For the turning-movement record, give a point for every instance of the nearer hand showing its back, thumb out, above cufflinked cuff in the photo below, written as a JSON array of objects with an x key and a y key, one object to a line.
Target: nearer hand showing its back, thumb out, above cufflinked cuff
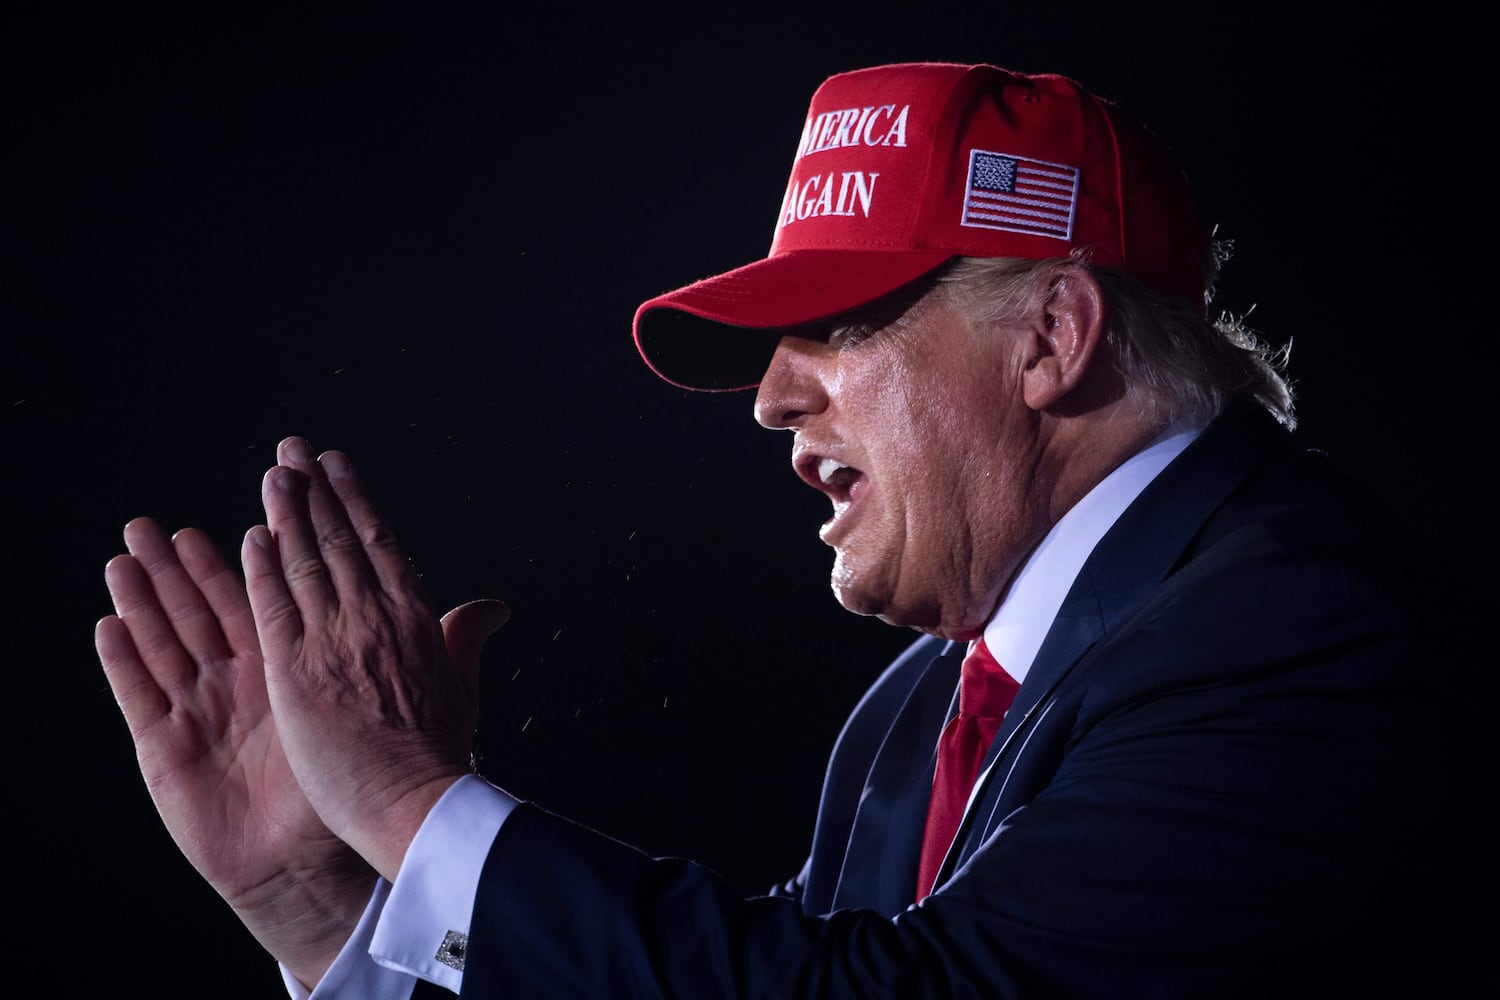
[{"x": 374, "y": 696}]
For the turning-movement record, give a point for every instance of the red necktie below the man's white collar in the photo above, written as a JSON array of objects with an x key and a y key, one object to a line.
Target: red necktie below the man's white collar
[{"x": 985, "y": 695}]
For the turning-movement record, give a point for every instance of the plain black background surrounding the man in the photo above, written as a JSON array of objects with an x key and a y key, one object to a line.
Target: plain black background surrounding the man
[{"x": 419, "y": 233}]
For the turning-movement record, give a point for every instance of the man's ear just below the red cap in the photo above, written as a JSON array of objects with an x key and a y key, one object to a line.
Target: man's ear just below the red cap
[{"x": 1069, "y": 334}]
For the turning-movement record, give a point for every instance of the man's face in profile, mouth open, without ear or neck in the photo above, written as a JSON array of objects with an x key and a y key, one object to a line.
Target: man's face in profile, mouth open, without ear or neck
[{"x": 917, "y": 431}]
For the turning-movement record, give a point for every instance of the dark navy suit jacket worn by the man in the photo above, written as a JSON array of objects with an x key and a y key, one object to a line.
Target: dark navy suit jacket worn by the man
[{"x": 1234, "y": 770}]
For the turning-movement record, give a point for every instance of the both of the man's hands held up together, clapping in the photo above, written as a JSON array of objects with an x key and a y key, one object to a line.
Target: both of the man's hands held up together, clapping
[{"x": 247, "y": 720}]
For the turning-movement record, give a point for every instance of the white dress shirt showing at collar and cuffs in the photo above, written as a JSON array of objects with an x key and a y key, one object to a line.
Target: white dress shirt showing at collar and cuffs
[{"x": 427, "y": 912}]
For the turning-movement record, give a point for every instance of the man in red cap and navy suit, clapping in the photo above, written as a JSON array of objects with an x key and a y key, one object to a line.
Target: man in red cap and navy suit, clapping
[{"x": 1219, "y": 761}]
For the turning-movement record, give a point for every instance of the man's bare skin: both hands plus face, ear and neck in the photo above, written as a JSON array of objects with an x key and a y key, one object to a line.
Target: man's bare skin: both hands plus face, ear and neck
[{"x": 296, "y": 731}]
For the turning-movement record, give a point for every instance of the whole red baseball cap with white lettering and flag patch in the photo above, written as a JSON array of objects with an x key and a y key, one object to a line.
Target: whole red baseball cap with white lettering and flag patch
[{"x": 904, "y": 167}]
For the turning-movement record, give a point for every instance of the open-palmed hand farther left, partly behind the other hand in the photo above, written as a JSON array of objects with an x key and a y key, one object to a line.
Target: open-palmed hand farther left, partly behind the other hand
[{"x": 182, "y": 657}]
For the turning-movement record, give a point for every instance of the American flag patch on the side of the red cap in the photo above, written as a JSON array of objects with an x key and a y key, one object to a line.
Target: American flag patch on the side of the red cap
[{"x": 1021, "y": 196}]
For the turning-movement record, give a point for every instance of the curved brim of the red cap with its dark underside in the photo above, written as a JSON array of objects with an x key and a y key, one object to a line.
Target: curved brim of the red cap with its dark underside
[{"x": 716, "y": 335}]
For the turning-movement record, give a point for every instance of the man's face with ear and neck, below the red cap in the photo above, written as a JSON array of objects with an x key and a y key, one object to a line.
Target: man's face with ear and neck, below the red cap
[{"x": 970, "y": 442}]
